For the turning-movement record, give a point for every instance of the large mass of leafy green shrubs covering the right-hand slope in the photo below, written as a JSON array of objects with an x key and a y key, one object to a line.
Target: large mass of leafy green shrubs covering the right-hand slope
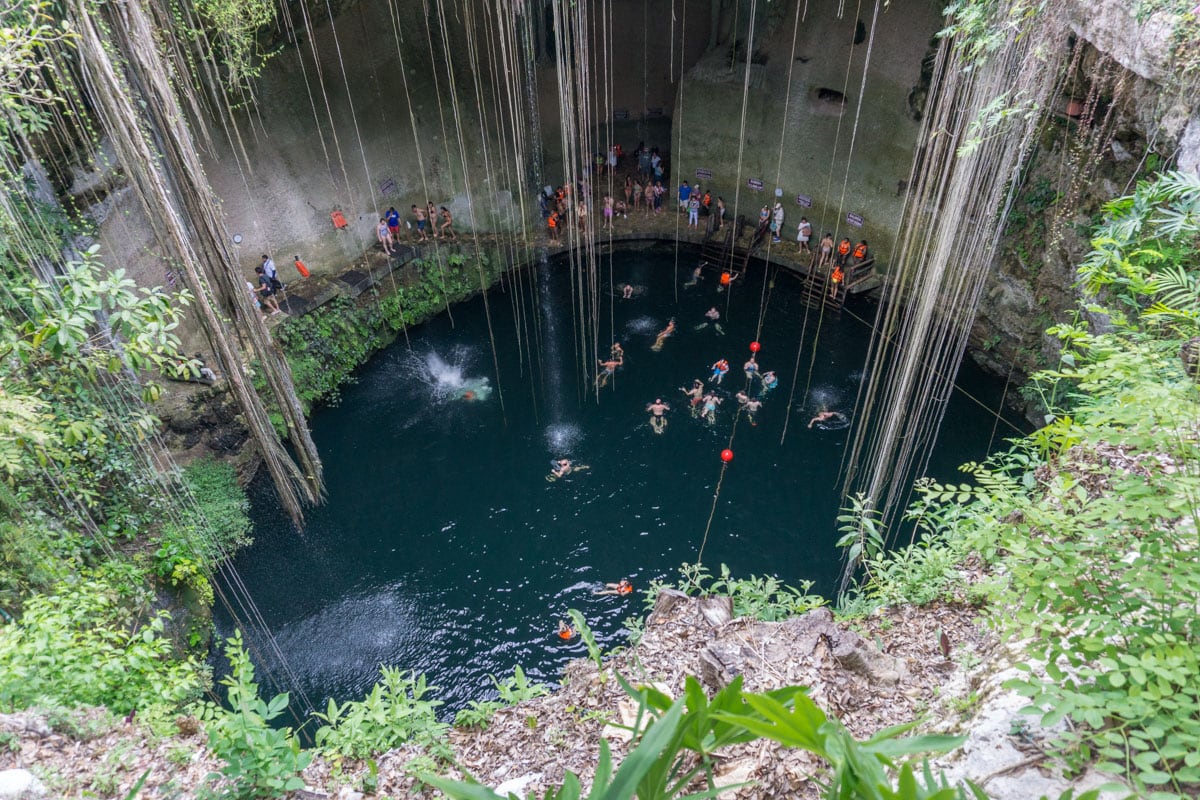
[{"x": 1091, "y": 522}]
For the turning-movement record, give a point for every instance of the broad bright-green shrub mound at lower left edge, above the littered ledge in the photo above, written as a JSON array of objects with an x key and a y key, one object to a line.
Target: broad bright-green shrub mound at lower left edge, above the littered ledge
[{"x": 97, "y": 641}]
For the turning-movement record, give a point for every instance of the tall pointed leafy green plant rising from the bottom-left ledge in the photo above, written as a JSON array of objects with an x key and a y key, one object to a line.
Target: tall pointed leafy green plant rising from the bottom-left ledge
[{"x": 261, "y": 761}]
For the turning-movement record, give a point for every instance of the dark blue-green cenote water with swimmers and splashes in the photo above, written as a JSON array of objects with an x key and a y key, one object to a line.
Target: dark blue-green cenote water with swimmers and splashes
[{"x": 445, "y": 550}]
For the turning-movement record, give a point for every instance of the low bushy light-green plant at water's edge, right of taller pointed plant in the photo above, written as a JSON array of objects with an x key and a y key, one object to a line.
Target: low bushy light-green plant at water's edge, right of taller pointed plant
[{"x": 398, "y": 709}]
